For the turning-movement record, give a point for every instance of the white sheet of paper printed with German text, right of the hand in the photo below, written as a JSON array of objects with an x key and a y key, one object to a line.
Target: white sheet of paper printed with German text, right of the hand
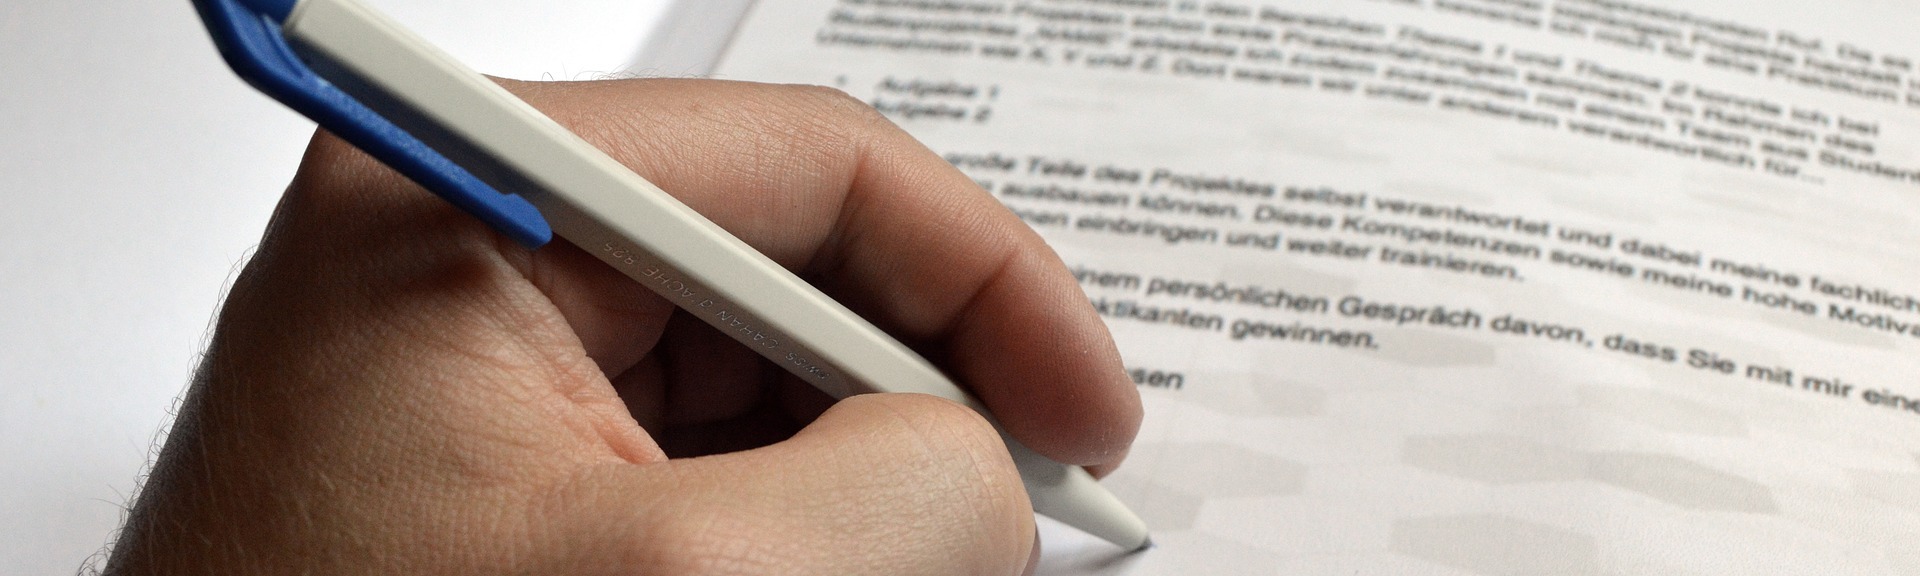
[{"x": 1454, "y": 287}]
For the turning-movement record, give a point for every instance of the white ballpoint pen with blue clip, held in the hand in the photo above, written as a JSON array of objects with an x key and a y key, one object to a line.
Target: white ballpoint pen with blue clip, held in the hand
[{"x": 460, "y": 135}]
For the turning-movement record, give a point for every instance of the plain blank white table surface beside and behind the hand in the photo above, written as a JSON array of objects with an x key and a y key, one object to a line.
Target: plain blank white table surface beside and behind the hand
[{"x": 137, "y": 174}]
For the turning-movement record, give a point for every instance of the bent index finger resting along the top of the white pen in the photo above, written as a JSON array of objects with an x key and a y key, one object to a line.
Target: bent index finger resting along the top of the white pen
[{"x": 830, "y": 189}]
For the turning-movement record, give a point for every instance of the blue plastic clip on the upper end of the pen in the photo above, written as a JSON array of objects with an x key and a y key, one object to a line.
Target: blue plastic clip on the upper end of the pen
[{"x": 249, "y": 37}]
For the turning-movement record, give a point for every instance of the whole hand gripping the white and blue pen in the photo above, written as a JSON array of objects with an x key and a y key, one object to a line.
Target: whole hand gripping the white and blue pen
[{"x": 393, "y": 389}]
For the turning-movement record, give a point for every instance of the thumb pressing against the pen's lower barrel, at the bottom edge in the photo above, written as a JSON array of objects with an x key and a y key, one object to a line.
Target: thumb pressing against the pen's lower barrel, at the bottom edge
[{"x": 878, "y": 485}]
